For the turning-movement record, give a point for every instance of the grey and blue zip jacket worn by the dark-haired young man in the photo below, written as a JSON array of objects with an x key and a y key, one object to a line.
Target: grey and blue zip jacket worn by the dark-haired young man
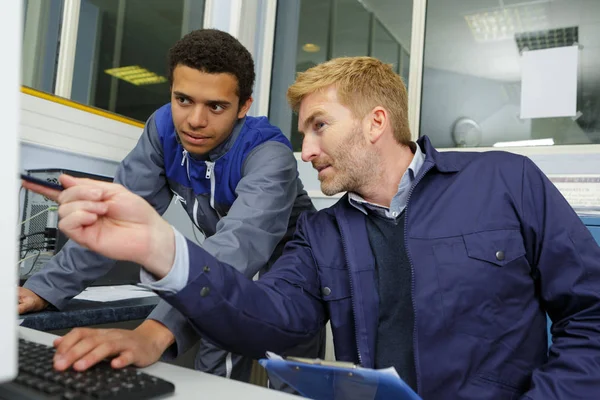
[{"x": 245, "y": 195}]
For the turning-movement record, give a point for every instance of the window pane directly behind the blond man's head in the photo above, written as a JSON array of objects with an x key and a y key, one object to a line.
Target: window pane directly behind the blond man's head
[{"x": 318, "y": 30}]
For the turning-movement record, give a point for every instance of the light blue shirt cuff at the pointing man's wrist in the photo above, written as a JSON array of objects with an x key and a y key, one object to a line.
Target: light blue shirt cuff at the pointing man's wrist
[{"x": 177, "y": 277}]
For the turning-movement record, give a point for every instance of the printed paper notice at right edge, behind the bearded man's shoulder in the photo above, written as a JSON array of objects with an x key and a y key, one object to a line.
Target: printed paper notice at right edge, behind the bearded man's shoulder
[{"x": 581, "y": 191}]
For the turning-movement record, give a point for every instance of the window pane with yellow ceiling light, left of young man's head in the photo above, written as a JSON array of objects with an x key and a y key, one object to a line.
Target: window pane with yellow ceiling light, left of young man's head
[{"x": 121, "y": 54}]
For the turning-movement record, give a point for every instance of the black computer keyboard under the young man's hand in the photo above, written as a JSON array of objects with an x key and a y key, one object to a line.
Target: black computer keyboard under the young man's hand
[{"x": 38, "y": 379}]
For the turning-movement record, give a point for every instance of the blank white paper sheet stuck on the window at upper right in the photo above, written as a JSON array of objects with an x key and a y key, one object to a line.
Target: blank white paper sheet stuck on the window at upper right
[{"x": 549, "y": 82}]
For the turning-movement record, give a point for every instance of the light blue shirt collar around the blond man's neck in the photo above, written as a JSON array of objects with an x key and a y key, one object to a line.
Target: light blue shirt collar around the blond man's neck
[{"x": 400, "y": 199}]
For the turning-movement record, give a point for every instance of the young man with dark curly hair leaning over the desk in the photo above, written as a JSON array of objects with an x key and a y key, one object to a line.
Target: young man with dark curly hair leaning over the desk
[{"x": 235, "y": 175}]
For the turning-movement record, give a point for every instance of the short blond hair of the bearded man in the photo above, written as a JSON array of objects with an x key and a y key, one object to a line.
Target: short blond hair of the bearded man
[{"x": 362, "y": 83}]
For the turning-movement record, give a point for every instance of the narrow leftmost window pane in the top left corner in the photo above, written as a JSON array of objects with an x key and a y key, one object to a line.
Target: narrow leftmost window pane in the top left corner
[{"x": 41, "y": 33}]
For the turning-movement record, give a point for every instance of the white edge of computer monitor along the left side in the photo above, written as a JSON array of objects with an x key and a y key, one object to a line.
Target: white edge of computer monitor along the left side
[{"x": 10, "y": 80}]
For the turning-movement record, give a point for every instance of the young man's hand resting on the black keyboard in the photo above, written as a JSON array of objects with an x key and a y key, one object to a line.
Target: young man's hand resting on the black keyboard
[{"x": 84, "y": 347}]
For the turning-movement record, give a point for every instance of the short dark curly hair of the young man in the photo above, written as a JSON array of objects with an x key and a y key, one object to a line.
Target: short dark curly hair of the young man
[{"x": 213, "y": 51}]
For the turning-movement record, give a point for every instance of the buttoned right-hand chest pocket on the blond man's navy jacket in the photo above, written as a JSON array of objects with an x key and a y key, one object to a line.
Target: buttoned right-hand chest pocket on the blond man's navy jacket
[{"x": 482, "y": 277}]
